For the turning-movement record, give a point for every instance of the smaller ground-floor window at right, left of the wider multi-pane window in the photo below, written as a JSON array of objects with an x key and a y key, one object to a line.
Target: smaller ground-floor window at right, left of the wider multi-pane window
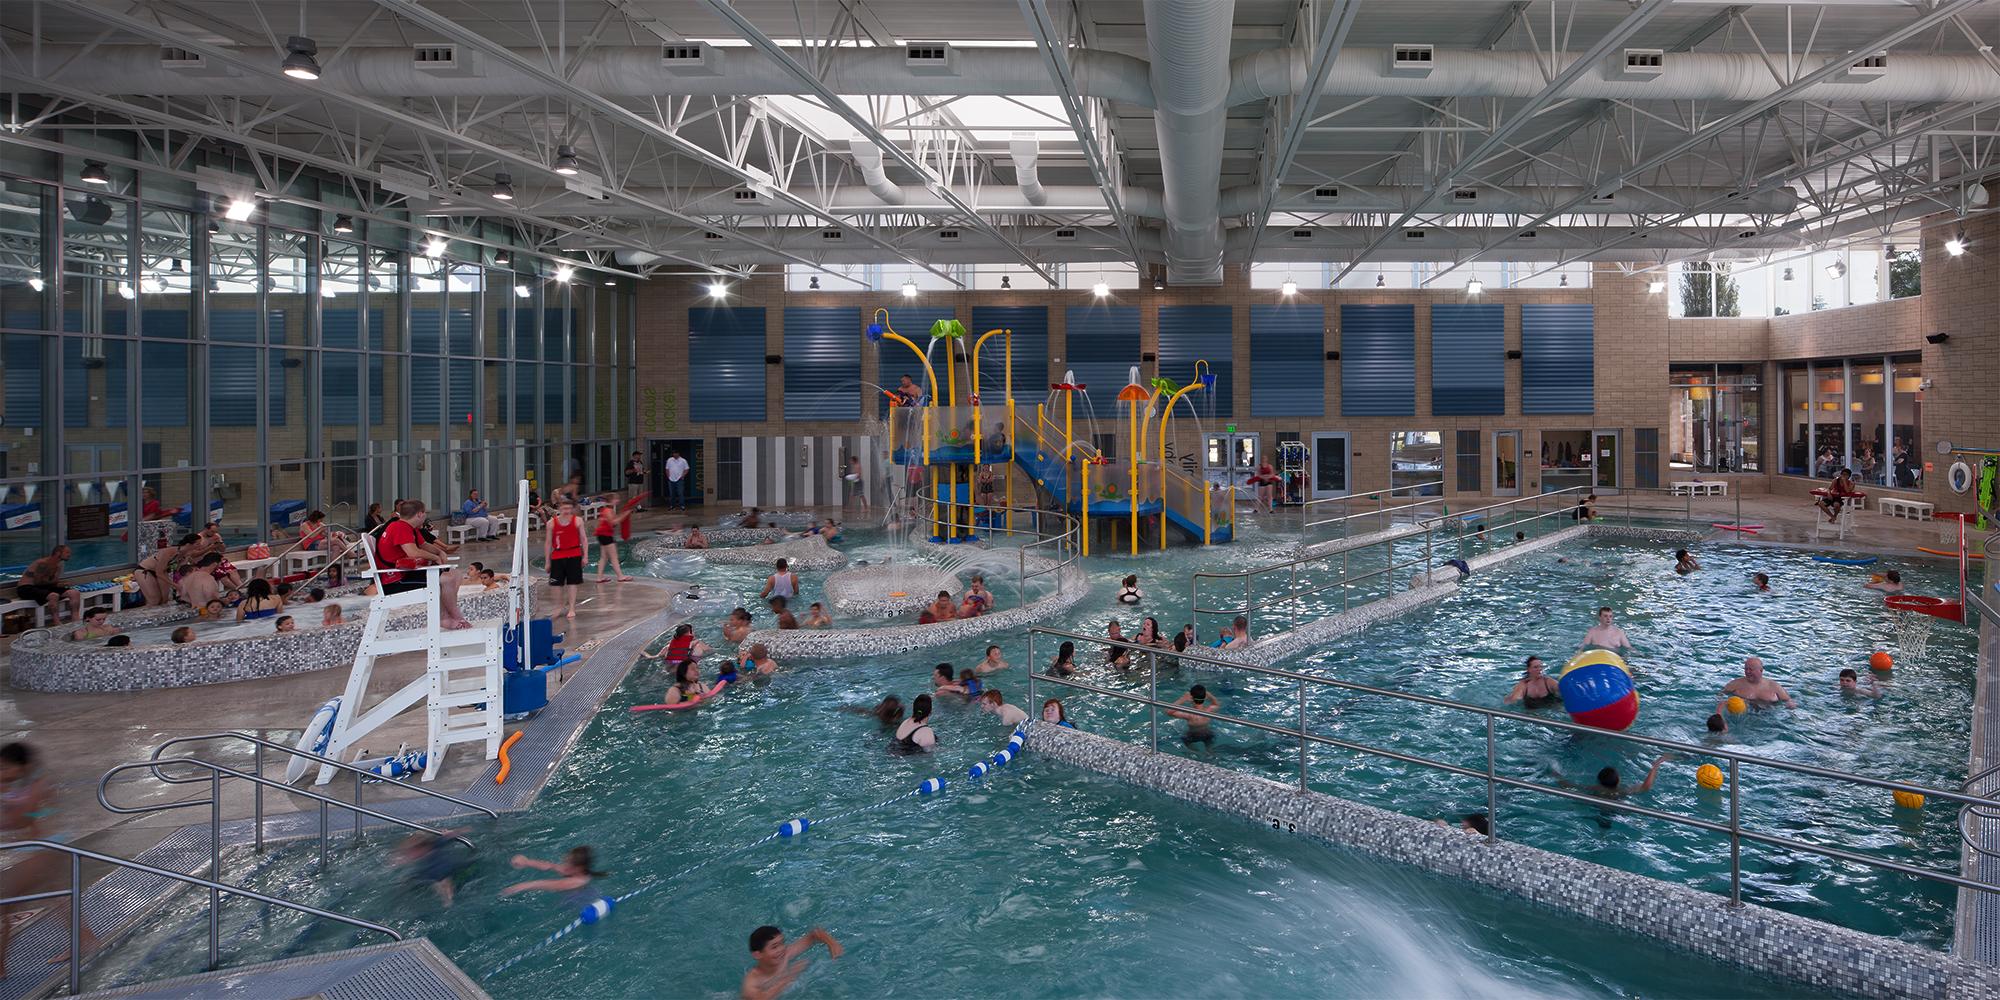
[{"x": 1715, "y": 419}]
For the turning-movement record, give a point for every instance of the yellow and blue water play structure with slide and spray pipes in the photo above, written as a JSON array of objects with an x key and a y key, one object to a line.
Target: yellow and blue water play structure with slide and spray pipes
[{"x": 951, "y": 439}]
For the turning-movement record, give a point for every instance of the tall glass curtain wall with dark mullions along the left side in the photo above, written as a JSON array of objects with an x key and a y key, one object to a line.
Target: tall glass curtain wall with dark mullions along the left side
[{"x": 163, "y": 367}]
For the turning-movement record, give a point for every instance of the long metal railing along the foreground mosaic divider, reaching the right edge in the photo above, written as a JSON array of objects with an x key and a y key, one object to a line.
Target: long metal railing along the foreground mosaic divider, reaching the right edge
[{"x": 1495, "y": 781}]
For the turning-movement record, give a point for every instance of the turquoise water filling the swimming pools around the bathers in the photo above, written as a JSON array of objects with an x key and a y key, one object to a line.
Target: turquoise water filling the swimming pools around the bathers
[{"x": 1055, "y": 881}]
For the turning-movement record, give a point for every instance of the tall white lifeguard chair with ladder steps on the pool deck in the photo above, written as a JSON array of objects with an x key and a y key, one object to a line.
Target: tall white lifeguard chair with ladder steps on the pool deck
[{"x": 463, "y": 679}]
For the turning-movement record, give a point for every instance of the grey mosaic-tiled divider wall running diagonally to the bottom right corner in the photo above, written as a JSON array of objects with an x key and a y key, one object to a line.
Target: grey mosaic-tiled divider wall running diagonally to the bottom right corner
[{"x": 1807, "y": 951}]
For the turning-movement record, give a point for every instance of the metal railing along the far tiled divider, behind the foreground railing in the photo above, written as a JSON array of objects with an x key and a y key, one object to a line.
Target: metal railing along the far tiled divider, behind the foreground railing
[{"x": 1293, "y": 597}]
